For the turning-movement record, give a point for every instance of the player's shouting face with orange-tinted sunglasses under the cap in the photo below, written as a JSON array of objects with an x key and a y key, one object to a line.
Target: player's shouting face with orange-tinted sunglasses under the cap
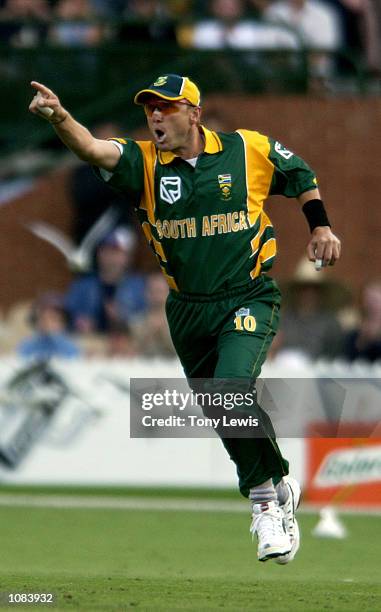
[{"x": 170, "y": 123}]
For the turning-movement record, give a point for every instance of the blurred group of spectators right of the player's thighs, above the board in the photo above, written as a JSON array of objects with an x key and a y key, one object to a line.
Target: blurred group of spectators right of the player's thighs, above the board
[{"x": 321, "y": 320}]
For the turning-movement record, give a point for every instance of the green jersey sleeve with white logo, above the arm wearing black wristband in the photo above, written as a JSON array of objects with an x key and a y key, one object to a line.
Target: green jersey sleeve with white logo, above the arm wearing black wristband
[{"x": 292, "y": 176}]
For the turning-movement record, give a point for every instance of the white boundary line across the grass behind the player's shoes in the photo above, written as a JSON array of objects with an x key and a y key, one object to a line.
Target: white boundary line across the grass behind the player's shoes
[{"x": 106, "y": 502}]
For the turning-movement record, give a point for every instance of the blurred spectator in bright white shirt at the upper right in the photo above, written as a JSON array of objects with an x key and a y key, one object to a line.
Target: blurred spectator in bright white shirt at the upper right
[{"x": 319, "y": 27}]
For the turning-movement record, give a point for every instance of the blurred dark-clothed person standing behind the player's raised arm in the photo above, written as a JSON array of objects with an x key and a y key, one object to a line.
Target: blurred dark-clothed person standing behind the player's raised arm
[{"x": 91, "y": 197}]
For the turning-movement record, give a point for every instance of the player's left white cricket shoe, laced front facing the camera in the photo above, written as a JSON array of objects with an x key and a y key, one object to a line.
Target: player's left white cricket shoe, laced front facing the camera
[{"x": 268, "y": 523}]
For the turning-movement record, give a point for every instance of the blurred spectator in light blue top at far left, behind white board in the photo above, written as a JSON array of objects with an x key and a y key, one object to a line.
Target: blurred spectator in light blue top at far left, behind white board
[{"x": 49, "y": 317}]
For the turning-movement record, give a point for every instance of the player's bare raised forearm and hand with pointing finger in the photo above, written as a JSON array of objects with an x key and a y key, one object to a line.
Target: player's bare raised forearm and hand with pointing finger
[{"x": 76, "y": 137}]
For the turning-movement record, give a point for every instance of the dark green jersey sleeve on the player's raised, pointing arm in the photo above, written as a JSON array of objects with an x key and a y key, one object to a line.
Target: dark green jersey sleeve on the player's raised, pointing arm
[{"x": 128, "y": 175}]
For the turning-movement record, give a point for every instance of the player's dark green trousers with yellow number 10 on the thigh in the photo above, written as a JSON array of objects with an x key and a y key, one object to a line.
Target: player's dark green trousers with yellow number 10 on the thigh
[{"x": 227, "y": 336}]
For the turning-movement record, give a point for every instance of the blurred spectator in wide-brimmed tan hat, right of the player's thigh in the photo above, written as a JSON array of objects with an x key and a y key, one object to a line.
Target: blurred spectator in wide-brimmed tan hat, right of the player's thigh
[{"x": 308, "y": 327}]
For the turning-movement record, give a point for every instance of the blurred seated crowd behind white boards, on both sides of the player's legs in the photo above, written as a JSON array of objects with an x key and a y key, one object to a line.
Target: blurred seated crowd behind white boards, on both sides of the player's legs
[{"x": 116, "y": 311}]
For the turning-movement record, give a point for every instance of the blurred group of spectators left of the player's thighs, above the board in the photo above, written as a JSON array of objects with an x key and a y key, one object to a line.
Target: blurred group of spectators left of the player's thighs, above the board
[{"x": 112, "y": 310}]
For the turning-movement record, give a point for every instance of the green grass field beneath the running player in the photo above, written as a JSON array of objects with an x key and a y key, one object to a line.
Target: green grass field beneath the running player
[{"x": 151, "y": 559}]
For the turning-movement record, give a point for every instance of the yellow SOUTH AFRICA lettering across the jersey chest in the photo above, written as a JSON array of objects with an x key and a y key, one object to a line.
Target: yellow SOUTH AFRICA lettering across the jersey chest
[{"x": 223, "y": 223}]
